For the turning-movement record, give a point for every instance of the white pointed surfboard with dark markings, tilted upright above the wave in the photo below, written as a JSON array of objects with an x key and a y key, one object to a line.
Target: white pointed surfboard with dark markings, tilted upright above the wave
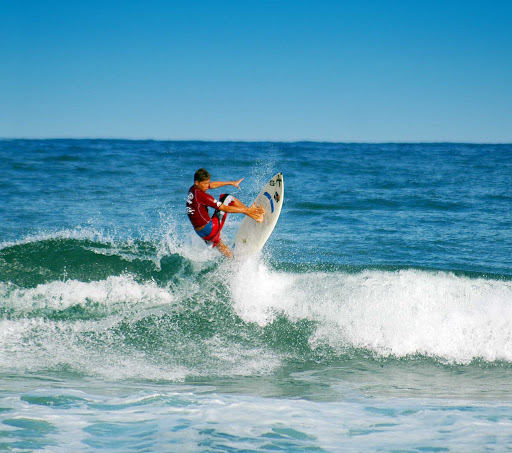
[{"x": 251, "y": 235}]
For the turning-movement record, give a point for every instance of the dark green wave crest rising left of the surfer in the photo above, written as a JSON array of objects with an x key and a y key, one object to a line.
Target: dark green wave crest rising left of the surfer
[{"x": 89, "y": 257}]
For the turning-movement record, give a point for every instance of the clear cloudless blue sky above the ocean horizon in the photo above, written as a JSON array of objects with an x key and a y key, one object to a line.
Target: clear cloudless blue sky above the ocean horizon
[{"x": 349, "y": 71}]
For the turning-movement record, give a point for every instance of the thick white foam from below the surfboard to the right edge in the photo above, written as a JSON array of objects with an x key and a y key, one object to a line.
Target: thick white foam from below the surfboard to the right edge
[{"x": 399, "y": 314}]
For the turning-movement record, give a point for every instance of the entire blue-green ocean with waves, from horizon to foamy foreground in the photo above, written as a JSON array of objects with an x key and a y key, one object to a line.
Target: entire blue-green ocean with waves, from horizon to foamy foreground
[{"x": 378, "y": 316}]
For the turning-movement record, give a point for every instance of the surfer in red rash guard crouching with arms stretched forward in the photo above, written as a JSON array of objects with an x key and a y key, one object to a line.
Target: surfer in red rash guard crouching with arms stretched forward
[{"x": 198, "y": 202}]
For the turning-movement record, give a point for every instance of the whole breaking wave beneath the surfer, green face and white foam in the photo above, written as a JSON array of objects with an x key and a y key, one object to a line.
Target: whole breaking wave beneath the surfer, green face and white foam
[{"x": 133, "y": 310}]
